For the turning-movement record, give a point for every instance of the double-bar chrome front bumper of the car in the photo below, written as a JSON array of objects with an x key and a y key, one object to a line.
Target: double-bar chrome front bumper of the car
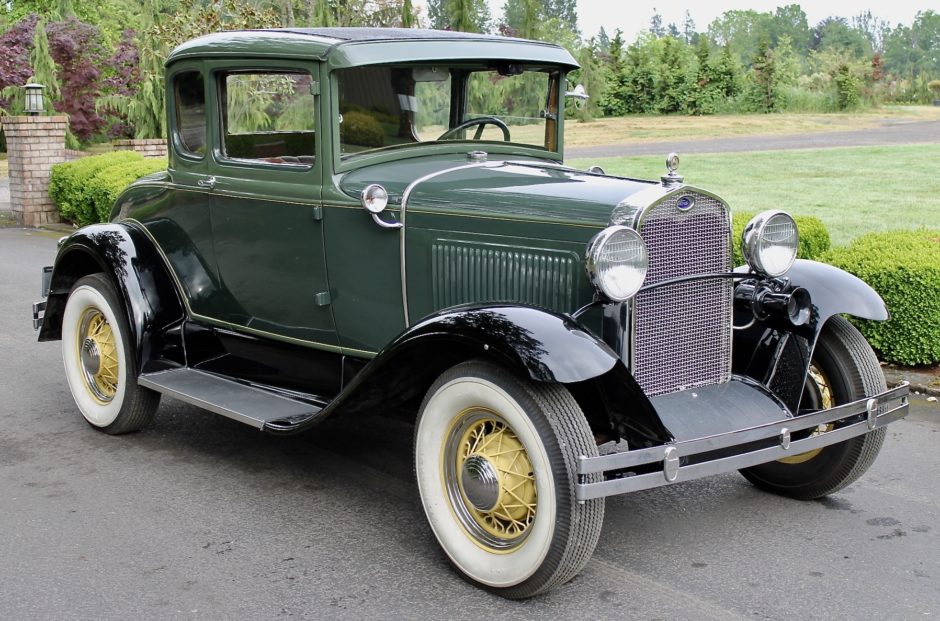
[{"x": 878, "y": 411}]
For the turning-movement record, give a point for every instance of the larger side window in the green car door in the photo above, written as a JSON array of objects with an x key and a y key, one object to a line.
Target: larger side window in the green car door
[{"x": 268, "y": 118}]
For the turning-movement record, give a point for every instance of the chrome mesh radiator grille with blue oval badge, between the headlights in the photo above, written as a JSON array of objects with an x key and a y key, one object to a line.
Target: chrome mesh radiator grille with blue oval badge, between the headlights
[{"x": 682, "y": 335}]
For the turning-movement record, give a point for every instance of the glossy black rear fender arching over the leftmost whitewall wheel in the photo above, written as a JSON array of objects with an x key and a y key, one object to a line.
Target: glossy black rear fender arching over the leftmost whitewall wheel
[{"x": 128, "y": 256}]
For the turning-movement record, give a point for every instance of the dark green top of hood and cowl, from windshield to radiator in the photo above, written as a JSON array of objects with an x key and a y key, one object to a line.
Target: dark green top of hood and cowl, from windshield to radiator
[{"x": 526, "y": 189}]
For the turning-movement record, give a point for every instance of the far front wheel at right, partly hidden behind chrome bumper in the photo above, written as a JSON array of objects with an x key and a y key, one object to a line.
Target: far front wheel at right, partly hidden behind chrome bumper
[{"x": 844, "y": 369}]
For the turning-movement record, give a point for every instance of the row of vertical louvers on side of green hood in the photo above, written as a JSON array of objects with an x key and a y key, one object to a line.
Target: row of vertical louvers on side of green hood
[{"x": 468, "y": 272}]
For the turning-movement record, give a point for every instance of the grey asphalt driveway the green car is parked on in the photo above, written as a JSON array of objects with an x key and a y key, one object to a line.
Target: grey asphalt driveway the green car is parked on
[{"x": 200, "y": 517}]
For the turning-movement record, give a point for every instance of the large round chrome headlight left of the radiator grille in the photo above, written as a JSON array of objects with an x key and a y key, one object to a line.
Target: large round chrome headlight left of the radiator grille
[{"x": 616, "y": 262}]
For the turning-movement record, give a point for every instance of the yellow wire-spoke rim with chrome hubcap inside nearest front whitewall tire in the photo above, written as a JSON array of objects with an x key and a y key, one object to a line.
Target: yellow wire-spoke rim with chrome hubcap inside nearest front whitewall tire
[{"x": 490, "y": 479}]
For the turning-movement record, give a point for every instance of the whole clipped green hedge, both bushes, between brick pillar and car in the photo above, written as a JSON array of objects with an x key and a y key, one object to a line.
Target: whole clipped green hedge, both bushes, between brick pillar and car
[{"x": 85, "y": 190}]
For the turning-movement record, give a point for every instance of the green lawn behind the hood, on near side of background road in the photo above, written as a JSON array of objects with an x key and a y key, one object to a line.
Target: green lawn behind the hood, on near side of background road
[{"x": 853, "y": 190}]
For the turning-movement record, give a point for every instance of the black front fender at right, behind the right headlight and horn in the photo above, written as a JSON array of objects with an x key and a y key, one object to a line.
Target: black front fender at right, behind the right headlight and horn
[{"x": 778, "y": 354}]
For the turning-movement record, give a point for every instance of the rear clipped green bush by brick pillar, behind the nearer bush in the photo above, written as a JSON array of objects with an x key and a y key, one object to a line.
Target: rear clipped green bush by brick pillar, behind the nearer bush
[{"x": 69, "y": 184}]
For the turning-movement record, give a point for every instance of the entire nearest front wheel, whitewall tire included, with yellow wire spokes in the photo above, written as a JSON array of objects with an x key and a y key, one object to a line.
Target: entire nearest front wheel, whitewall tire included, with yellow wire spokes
[{"x": 496, "y": 463}]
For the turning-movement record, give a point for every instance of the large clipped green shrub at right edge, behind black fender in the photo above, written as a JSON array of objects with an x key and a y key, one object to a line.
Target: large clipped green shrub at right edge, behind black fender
[{"x": 904, "y": 268}]
